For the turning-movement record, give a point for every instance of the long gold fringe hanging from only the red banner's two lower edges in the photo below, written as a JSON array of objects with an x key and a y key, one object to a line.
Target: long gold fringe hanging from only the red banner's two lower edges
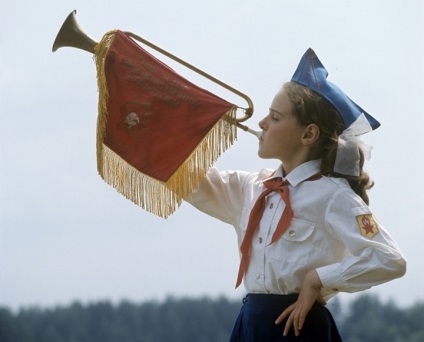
[{"x": 163, "y": 198}]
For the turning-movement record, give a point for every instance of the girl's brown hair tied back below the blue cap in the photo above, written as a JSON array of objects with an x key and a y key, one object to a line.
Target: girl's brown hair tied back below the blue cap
[{"x": 311, "y": 108}]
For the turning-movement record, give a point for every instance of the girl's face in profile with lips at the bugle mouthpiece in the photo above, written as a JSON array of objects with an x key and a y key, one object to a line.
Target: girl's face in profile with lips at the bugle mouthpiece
[{"x": 283, "y": 137}]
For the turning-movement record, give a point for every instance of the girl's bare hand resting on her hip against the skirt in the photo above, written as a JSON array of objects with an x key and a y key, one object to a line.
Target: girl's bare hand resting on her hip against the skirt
[{"x": 310, "y": 292}]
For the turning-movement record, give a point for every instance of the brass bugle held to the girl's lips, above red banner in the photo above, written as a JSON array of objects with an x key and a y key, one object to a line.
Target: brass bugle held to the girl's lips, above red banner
[{"x": 71, "y": 35}]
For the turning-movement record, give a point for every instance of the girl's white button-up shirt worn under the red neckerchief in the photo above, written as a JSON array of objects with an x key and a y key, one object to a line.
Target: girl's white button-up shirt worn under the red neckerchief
[{"x": 324, "y": 234}]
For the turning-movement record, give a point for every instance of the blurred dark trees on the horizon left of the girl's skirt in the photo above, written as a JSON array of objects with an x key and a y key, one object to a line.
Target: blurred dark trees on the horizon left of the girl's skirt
[{"x": 200, "y": 320}]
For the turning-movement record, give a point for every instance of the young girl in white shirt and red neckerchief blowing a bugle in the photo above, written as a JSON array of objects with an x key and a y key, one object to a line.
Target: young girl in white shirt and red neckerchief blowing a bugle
[{"x": 305, "y": 230}]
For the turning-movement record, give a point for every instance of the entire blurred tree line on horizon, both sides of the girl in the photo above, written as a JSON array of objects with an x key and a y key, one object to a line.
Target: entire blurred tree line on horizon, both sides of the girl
[{"x": 365, "y": 319}]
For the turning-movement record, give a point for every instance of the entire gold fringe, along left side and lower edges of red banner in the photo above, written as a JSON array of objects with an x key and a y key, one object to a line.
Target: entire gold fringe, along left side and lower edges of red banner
[{"x": 159, "y": 198}]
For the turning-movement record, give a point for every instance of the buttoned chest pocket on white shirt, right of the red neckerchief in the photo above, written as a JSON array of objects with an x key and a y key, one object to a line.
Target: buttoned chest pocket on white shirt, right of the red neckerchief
[{"x": 295, "y": 245}]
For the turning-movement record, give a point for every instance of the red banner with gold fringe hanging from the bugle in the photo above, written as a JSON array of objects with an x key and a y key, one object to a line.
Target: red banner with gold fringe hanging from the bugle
[{"x": 157, "y": 133}]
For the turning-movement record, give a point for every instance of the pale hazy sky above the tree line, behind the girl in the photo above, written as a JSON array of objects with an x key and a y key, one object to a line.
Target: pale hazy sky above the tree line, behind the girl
[{"x": 65, "y": 235}]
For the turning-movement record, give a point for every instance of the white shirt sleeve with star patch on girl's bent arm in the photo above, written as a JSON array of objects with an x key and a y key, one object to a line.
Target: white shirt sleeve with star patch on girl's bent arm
[{"x": 374, "y": 257}]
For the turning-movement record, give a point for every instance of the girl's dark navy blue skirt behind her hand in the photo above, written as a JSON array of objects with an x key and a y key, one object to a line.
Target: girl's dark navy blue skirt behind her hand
[{"x": 256, "y": 321}]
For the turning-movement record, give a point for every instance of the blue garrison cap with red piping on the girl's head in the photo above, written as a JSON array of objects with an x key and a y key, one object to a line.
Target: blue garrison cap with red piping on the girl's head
[{"x": 312, "y": 74}]
